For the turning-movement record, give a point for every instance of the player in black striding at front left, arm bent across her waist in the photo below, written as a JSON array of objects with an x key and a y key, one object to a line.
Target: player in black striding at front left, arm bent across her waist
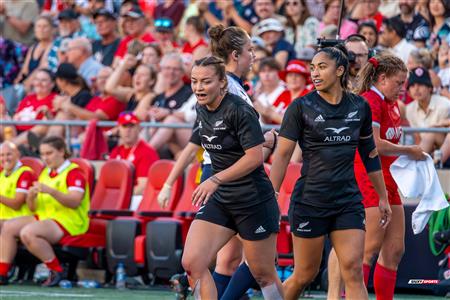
[{"x": 238, "y": 198}]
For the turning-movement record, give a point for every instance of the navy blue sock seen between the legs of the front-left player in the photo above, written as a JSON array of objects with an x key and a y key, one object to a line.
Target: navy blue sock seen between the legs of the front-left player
[{"x": 241, "y": 281}]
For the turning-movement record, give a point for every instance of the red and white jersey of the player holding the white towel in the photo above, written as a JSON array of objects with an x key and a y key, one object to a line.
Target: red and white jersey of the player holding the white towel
[{"x": 386, "y": 116}]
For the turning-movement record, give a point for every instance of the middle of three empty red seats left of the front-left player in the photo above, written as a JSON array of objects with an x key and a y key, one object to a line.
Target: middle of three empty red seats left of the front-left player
[{"x": 122, "y": 232}]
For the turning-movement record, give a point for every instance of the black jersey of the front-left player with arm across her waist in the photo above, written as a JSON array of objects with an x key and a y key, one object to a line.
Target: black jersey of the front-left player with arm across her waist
[{"x": 226, "y": 133}]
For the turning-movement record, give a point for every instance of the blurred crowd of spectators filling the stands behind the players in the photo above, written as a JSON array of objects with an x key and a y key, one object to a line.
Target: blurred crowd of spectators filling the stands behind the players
[{"x": 130, "y": 60}]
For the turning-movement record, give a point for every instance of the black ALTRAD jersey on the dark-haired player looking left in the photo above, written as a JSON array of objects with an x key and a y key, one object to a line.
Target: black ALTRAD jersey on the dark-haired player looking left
[{"x": 328, "y": 136}]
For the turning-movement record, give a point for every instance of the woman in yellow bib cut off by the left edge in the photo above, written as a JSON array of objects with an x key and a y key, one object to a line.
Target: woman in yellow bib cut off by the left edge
[{"x": 15, "y": 181}]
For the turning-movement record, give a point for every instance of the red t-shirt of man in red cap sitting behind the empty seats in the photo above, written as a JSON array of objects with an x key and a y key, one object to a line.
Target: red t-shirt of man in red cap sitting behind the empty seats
[{"x": 142, "y": 156}]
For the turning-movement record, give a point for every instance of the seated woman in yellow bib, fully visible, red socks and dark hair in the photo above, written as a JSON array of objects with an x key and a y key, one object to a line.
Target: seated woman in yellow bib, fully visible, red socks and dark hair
[{"x": 60, "y": 203}]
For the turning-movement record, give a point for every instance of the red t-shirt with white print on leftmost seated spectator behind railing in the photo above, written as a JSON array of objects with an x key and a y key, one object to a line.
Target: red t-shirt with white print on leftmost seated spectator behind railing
[{"x": 29, "y": 107}]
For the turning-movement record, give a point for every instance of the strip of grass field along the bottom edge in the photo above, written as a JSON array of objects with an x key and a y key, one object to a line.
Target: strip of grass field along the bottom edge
[{"x": 15, "y": 292}]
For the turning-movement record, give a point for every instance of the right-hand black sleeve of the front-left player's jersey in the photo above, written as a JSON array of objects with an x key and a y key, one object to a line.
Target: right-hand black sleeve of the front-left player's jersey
[{"x": 247, "y": 126}]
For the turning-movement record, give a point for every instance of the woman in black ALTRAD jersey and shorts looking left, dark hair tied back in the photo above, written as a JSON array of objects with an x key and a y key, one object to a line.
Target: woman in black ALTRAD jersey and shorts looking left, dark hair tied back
[{"x": 329, "y": 124}]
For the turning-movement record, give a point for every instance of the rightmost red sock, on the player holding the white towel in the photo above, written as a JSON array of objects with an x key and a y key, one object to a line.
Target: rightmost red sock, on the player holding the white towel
[{"x": 384, "y": 282}]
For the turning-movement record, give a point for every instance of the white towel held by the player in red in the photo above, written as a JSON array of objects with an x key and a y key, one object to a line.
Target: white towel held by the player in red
[{"x": 418, "y": 179}]
